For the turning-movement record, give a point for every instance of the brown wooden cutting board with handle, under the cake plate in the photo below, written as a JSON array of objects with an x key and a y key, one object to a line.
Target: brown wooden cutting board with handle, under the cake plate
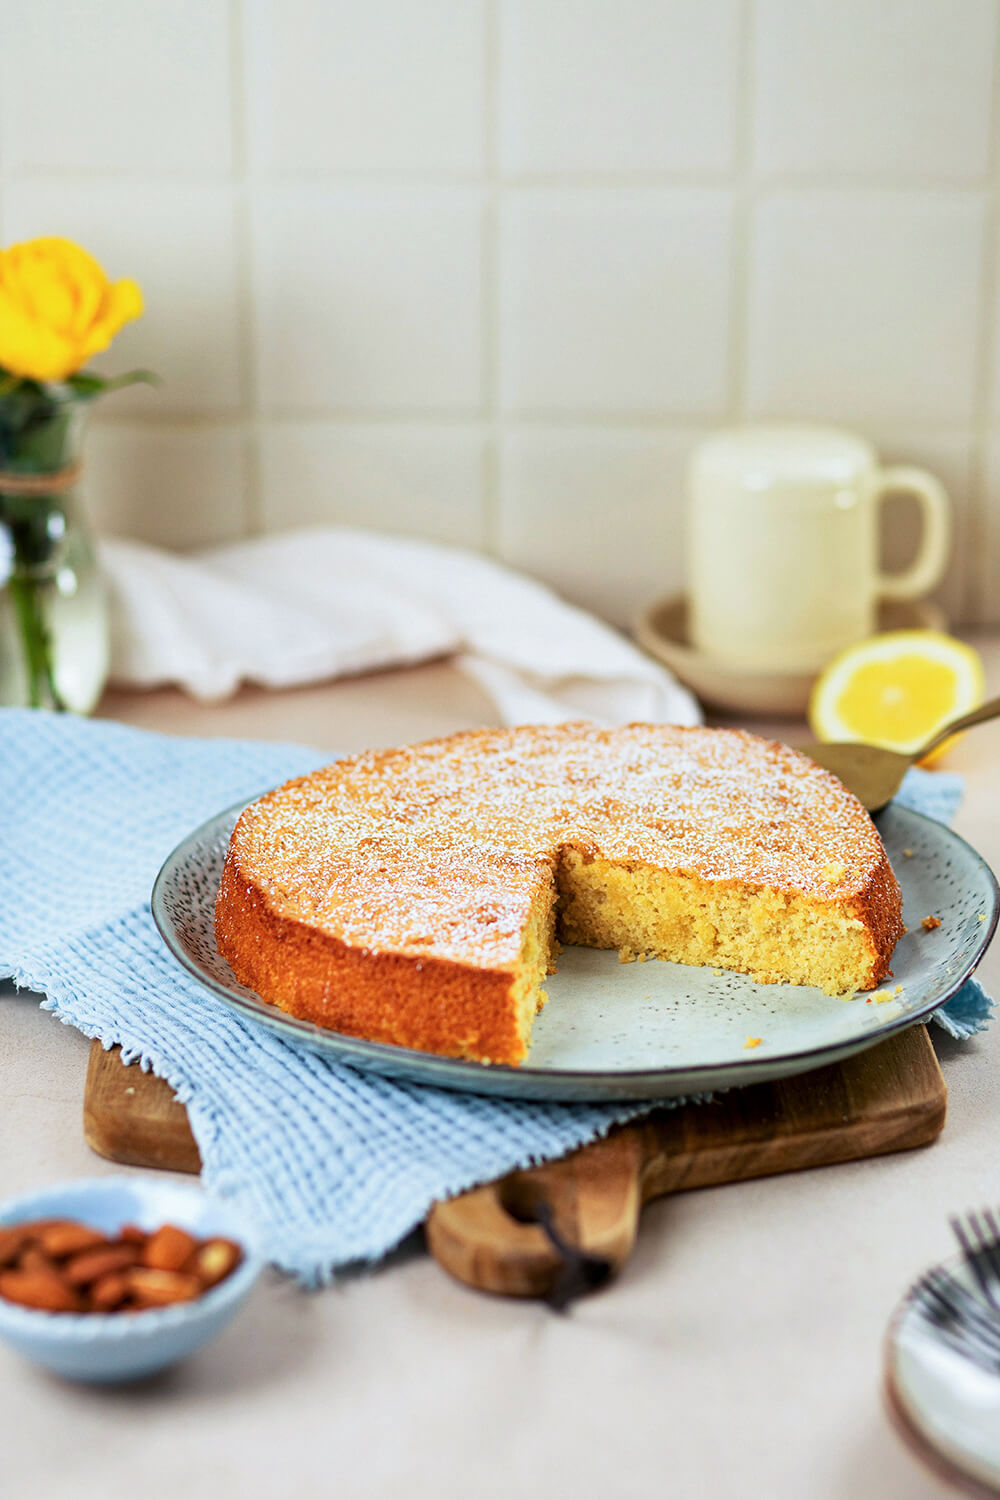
[{"x": 564, "y": 1228}]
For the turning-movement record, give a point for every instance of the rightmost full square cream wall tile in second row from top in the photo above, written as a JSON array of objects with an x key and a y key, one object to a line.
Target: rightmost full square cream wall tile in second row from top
[{"x": 864, "y": 307}]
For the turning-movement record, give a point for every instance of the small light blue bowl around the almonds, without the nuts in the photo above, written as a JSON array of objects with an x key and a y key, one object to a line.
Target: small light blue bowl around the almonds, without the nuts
[{"x": 127, "y": 1346}]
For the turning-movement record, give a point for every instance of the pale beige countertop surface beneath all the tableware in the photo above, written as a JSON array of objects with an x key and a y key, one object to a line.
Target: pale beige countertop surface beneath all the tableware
[{"x": 740, "y": 1355}]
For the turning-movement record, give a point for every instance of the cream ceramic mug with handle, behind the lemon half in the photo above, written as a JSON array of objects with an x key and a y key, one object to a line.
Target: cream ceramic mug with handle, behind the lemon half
[{"x": 783, "y": 544}]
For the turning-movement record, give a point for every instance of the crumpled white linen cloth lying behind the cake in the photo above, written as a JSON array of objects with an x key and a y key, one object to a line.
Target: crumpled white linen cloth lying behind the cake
[{"x": 311, "y": 605}]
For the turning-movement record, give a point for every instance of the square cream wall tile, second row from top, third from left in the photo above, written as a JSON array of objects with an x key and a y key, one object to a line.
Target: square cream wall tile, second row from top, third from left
[{"x": 615, "y": 301}]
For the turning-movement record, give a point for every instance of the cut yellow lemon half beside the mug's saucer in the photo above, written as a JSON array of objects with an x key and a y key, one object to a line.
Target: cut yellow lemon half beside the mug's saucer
[{"x": 897, "y": 689}]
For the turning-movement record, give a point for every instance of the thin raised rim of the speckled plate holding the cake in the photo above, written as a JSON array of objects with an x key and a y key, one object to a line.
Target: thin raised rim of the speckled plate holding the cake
[{"x": 394, "y": 1061}]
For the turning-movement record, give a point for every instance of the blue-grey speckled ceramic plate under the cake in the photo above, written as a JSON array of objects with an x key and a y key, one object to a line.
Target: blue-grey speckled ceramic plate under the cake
[{"x": 647, "y": 1031}]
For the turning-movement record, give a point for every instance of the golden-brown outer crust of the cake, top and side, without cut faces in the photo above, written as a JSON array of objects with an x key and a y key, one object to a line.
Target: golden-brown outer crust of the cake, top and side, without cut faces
[{"x": 386, "y": 896}]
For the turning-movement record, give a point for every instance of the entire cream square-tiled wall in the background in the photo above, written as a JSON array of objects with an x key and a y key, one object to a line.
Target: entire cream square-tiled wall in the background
[{"x": 487, "y": 271}]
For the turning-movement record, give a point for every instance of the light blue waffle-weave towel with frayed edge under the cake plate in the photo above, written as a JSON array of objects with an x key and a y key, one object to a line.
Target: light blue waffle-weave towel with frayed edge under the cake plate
[{"x": 334, "y": 1166}]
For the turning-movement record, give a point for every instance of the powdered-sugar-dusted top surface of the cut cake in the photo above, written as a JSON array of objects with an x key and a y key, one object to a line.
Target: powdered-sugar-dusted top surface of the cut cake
[{"x": 443, "y": 848}]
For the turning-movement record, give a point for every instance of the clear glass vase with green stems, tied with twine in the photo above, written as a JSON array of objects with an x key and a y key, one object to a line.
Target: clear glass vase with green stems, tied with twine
[{"x": 53, "y": 611}]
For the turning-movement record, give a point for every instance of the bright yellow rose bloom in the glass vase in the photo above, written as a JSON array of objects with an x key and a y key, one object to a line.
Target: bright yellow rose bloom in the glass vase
[{"x": 58, "y": 308}]
